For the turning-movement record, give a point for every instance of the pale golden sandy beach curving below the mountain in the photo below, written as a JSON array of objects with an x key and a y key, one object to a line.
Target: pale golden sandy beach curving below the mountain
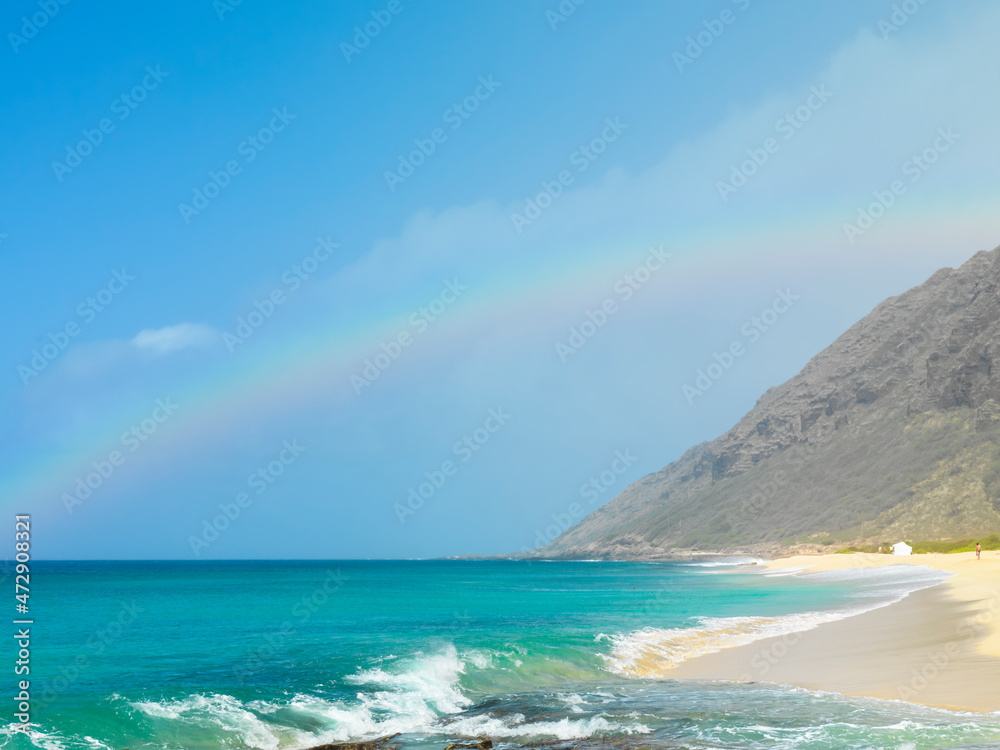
[{"x": 937, "y": 647}]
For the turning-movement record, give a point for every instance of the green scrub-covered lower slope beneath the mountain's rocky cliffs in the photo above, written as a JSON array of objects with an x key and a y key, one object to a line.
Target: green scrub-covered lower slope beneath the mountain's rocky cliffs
[{"x": 896, "y": 479}]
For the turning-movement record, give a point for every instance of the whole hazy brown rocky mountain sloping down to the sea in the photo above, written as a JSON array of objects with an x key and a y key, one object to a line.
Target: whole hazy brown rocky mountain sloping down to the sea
[{"x": 892, "y": 432}]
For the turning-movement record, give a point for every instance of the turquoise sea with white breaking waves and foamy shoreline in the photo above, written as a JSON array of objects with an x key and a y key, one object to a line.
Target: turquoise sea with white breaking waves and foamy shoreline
[{"x": 295, "y": 654}]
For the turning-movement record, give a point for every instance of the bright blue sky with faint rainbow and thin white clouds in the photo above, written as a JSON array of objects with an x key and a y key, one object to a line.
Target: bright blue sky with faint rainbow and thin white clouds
[{"x": 591, "y": 206}]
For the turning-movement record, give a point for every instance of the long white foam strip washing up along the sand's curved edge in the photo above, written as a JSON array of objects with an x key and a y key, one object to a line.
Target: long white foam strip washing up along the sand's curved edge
[{"x": 653, "y": 652}]
